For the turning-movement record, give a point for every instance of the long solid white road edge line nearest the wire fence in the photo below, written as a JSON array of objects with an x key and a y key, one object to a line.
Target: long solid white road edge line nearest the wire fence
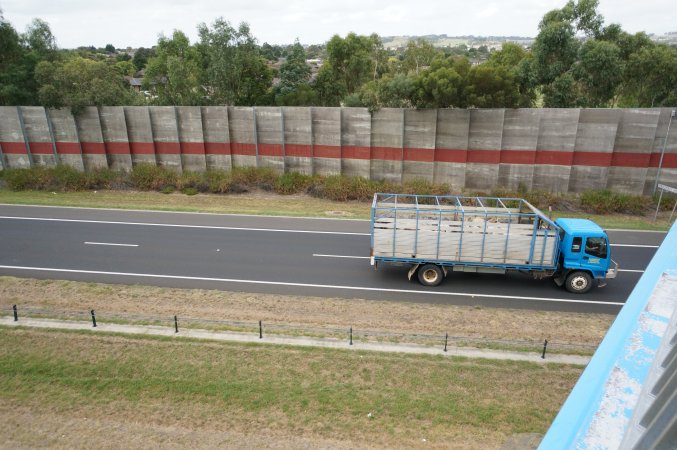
[{"x": 323, "y": 286}]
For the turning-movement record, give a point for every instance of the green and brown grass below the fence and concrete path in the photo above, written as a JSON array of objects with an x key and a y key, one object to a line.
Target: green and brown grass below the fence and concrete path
[{"x": 322, "y": 396}]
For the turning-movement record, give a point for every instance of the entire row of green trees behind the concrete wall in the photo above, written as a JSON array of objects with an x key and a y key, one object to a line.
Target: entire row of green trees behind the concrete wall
[{"x": 575, "y": 61}]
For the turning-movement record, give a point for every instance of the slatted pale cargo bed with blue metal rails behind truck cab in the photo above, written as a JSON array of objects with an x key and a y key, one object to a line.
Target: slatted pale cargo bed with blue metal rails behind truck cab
[{"x": 456, "y": 230}]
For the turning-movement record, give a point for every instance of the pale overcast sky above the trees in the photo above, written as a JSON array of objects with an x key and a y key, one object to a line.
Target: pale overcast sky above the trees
[{"x": 139, "y": 23}]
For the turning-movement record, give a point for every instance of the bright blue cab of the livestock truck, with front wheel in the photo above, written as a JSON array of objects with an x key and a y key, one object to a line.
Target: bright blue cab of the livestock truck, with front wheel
[{"x": 585, "y": 255}]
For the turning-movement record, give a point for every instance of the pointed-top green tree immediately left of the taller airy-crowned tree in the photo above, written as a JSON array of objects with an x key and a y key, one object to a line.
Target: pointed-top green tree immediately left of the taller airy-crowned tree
[{"x": 174, "y": 74}]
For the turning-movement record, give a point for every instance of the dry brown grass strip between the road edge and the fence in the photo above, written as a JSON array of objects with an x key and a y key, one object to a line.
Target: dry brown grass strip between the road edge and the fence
[{"x": 309, "y": 312}]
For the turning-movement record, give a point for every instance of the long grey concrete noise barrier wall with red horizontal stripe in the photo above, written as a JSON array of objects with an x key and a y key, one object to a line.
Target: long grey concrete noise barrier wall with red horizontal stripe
[{"x": 557, "y": 150}]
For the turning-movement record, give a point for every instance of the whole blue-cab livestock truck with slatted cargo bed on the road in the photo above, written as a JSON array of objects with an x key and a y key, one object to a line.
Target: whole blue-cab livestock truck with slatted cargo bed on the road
[{"x": 438, "y": 234}]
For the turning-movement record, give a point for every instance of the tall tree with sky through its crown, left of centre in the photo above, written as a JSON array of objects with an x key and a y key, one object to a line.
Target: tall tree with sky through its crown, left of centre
[{"x": 236, "y": 73}]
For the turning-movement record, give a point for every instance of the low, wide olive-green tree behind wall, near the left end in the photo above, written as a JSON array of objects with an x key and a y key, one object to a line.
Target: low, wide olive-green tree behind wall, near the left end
[{"x": 78, "y": 82}]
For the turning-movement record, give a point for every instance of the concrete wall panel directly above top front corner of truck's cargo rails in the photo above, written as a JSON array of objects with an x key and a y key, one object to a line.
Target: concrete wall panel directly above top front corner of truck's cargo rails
[{"x": 518, "y": 148}]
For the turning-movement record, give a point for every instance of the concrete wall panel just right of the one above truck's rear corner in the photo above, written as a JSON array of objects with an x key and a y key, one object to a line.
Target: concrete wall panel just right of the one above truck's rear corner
[{"x": 420, "y": 127}]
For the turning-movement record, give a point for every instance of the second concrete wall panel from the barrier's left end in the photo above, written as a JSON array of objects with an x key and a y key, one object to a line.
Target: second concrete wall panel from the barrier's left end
[{"x": 39, "y": 135}]
